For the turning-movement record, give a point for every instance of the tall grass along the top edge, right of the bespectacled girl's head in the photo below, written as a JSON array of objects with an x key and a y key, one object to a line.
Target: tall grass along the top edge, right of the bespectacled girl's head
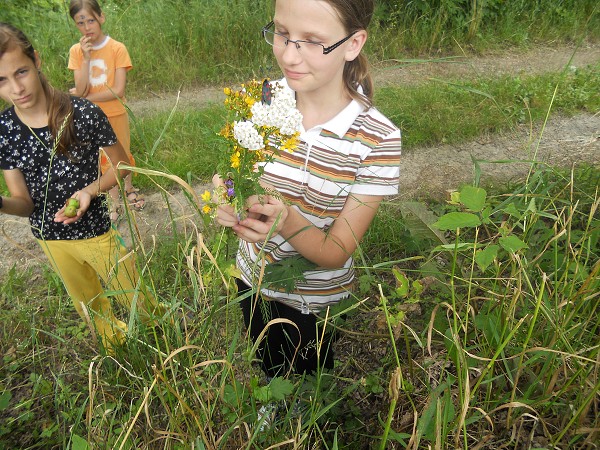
[{"x": 439, "y": 25}]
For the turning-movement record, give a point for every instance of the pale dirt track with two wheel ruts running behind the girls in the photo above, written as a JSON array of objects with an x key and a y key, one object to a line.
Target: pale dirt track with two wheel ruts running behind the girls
[{"x": 425, "y": 171}]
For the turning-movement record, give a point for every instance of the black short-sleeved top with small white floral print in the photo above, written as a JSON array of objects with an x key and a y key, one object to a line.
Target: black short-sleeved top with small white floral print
[{"x": 53, "y": 178}]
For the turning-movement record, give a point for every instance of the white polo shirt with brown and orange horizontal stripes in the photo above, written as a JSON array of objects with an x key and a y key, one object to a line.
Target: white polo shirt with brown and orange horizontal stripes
[{"x": 356, "y": 152}]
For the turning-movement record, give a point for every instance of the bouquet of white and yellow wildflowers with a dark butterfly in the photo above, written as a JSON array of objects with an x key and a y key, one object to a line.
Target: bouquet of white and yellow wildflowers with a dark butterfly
[{"x": 263, "y": 122}]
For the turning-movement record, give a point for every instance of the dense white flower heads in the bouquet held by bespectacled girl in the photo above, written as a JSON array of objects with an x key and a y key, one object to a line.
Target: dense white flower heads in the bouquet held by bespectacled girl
[{"x": 281, "y": 113}]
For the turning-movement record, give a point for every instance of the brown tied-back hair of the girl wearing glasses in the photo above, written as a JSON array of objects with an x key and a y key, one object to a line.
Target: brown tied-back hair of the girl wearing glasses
[{"x": 356, "y": 15}]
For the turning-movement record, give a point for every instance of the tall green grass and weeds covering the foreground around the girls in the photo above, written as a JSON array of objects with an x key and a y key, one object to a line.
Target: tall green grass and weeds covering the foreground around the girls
[{"x": 485, "y": 333}]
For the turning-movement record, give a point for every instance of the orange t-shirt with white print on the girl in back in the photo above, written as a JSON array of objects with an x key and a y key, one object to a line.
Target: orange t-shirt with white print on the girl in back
[{"x": 105, "y": 59}]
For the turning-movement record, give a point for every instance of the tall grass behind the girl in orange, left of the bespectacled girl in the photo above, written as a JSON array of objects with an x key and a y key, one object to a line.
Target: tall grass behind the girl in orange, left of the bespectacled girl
[{"x": 172, "y": 44}]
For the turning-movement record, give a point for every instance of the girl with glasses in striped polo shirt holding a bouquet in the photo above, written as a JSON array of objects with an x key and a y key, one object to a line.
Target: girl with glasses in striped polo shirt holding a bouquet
[{"x": 329, "y": 188}]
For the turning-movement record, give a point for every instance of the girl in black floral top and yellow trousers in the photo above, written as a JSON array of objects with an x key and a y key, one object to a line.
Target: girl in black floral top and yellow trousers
[{"x": 49, "y": 150}]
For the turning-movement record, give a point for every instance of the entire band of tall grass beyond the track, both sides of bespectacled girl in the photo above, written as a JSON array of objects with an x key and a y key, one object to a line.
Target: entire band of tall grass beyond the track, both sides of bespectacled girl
[{"x": 180, "y": 44}]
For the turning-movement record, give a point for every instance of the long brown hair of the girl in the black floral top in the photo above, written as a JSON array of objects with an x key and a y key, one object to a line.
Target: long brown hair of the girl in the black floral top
[{"x": 58, "y": 103}]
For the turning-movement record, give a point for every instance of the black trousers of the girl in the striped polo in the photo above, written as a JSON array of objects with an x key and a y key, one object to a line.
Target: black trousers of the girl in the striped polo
[{"x": 285, "y": 347}]
